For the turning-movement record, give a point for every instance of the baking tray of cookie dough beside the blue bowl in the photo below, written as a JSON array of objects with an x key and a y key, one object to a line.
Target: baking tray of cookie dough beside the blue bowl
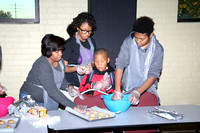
[{"x": 96, "y": 113}]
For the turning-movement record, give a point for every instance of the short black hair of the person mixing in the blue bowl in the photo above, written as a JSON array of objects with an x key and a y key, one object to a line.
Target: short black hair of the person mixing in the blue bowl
[{"x": 144, "y": 25}]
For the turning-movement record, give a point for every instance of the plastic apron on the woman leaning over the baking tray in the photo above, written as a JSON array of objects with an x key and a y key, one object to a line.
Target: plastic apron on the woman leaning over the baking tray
[{"x": 49, "y": 103}]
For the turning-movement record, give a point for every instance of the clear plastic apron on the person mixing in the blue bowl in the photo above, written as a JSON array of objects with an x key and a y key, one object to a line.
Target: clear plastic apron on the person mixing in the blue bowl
[{"x": 139, "y": 63}]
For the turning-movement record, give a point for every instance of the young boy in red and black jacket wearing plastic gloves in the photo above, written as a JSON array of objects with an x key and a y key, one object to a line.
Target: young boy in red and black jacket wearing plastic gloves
[{"x": 102, "y": 76}]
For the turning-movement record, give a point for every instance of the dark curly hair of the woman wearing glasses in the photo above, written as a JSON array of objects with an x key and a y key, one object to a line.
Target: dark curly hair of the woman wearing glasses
[{"x": 80, "y": 19}]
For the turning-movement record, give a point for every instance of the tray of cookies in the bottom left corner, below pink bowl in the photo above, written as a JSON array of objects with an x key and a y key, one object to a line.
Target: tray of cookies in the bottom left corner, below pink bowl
[{"x": 8, "y": 123}]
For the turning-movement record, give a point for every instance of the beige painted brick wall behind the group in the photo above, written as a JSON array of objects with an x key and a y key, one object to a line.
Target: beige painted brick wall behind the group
[{"x": 179, "y": 82}]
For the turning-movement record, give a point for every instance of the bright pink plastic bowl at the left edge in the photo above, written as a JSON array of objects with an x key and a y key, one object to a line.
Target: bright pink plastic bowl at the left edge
[{"x": 4, "y": 103}]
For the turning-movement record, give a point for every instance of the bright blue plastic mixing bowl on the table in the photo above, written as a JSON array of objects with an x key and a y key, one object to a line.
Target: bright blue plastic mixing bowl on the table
[{"x": 118, "y": 105}]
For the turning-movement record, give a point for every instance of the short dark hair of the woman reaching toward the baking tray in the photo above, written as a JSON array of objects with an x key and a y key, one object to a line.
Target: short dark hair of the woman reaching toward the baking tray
[{"x": 51, "y": 43}]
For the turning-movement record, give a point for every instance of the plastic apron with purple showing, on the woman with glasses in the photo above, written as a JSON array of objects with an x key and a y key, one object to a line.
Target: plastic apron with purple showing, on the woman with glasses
[{"x": 86, "y": 55}]
